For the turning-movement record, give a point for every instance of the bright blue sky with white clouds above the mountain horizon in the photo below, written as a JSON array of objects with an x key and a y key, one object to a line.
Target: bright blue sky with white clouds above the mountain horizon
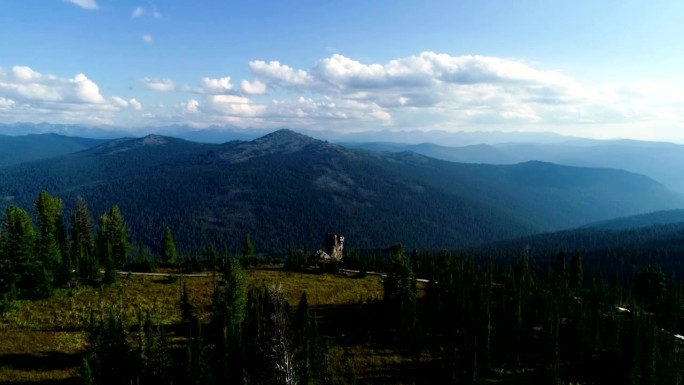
[{"x": 600, "y": 69}]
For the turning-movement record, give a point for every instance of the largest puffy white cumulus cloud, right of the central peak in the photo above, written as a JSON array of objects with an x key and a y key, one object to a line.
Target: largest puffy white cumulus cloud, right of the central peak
[{"x": 457, "y": 90}]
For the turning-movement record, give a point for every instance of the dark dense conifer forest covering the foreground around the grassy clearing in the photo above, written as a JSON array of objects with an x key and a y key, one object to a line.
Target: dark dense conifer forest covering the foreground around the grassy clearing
[{"x": 476, "y": 319}]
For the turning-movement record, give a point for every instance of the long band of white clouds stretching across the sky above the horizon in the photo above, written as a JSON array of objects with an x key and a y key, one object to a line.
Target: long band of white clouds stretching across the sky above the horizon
[{"x": 424, "y": 91}]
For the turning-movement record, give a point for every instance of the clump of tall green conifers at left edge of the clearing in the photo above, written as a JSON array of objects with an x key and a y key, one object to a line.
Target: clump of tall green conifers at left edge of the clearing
[{"x": 35, "y": 260}]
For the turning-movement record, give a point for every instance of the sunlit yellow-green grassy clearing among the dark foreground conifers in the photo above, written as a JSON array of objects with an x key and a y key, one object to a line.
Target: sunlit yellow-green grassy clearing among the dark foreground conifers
[{"x": 42, "y": 340}]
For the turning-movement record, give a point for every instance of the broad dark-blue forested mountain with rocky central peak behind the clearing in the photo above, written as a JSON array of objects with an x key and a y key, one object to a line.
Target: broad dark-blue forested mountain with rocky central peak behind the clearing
[{"x": 288, "y": 189}]
